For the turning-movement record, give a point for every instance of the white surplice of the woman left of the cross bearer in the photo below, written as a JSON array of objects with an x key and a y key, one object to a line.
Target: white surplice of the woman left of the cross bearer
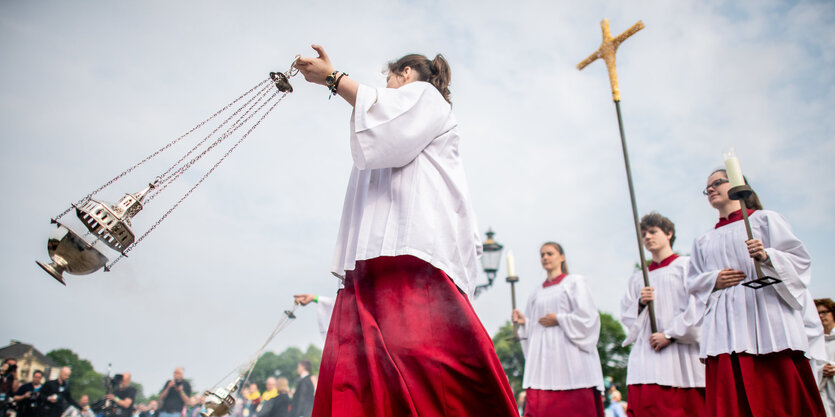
[{"x": 562, "y": 357}]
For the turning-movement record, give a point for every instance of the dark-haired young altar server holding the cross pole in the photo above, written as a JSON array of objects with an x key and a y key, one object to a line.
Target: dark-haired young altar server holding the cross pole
[{"x": 664, "y": 374}]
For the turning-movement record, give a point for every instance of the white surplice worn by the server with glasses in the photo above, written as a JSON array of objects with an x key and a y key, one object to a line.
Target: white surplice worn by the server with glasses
[{"x": 740, "y": 319}]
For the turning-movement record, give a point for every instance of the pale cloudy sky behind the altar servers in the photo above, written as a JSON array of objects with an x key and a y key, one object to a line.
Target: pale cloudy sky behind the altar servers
[{"x": 87, "y": 89}]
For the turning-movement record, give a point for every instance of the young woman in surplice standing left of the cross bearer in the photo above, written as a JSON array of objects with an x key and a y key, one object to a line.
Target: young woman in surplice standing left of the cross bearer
[{"x": 559, "y": 333}]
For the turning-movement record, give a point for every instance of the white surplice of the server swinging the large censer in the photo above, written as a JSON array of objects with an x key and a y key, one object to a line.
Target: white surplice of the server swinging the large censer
[{"x": 408, "y": 194}]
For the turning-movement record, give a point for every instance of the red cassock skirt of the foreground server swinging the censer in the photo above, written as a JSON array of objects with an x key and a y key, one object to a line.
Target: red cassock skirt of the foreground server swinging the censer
[{"x": 404, "y": 341}]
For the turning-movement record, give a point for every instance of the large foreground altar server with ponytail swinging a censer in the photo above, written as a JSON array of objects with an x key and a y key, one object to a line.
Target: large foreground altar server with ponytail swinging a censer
[{"x": 404, "y": 339}]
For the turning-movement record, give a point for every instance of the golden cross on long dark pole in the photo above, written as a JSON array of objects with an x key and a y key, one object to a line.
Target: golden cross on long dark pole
[{"x": 607, "y": 51}]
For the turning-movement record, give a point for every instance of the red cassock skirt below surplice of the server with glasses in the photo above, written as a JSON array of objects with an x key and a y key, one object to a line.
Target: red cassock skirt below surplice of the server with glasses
[{"x": 776, "y": 384}]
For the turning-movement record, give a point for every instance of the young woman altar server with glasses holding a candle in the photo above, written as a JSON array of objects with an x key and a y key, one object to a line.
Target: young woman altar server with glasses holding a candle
[{"x": 754, "y": 340}]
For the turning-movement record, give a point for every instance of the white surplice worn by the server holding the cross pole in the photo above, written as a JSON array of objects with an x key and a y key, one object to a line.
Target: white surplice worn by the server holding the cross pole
[{"x": 677, "y": 315}]
